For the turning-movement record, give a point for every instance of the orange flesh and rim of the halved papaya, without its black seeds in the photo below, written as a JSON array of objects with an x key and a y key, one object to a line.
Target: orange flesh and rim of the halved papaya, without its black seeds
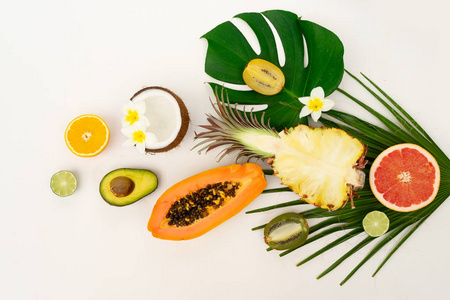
[{"x": 252, "y": 183}]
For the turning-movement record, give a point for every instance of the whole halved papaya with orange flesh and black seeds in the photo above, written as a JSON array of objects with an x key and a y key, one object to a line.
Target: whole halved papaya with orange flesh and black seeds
[{"x": 199, "y": 203}]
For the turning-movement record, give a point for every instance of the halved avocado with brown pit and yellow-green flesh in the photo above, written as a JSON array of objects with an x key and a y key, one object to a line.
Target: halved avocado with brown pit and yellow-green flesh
[{"x": 124, "y": 186}]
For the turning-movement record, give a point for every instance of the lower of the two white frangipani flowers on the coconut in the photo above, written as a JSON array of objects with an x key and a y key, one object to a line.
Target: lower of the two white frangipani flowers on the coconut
[{"x": 138, "y": 136}]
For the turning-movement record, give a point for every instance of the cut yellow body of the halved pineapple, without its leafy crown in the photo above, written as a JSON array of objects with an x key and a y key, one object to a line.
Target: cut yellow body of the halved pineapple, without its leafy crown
[{"x": 318, "y": 164}]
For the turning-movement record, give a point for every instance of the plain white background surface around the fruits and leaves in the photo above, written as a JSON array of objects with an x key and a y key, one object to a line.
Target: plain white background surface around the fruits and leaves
[{"x": 61, "y": 59}]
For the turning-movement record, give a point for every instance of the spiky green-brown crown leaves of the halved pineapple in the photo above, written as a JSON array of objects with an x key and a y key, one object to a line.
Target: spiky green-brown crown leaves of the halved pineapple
[{"x": 229, "y": 128}]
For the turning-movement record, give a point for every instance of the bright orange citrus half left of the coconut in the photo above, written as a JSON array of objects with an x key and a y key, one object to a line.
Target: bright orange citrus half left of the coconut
[{"x": 87, "y": 135}]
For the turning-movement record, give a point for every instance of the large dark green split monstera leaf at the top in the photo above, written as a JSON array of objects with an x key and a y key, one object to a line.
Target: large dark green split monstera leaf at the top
[{"x": 229, "y": 52}]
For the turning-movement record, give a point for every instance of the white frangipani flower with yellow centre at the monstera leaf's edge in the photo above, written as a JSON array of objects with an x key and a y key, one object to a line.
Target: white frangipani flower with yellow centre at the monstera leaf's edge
[{"x": 315, "y": 104}]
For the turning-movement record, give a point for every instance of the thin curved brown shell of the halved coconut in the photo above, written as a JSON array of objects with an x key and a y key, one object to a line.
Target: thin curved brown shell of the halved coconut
[{"x": 184, "y": 119}]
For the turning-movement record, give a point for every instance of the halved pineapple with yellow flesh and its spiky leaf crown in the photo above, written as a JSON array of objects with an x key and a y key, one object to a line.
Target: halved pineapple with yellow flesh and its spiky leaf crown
[{"x": 322, "y": 165}]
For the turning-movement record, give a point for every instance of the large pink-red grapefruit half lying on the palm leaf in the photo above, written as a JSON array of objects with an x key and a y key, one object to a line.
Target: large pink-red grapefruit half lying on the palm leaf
[{"x": 405, "y": 177}]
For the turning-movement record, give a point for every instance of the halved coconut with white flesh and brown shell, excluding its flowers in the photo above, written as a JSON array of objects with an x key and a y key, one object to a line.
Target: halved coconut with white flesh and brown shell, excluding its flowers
[{"x": 168, "y": 116}]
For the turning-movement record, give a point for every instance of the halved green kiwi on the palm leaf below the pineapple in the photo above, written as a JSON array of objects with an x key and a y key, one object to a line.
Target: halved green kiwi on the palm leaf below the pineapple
[{"x": 286, "y": 231}]
